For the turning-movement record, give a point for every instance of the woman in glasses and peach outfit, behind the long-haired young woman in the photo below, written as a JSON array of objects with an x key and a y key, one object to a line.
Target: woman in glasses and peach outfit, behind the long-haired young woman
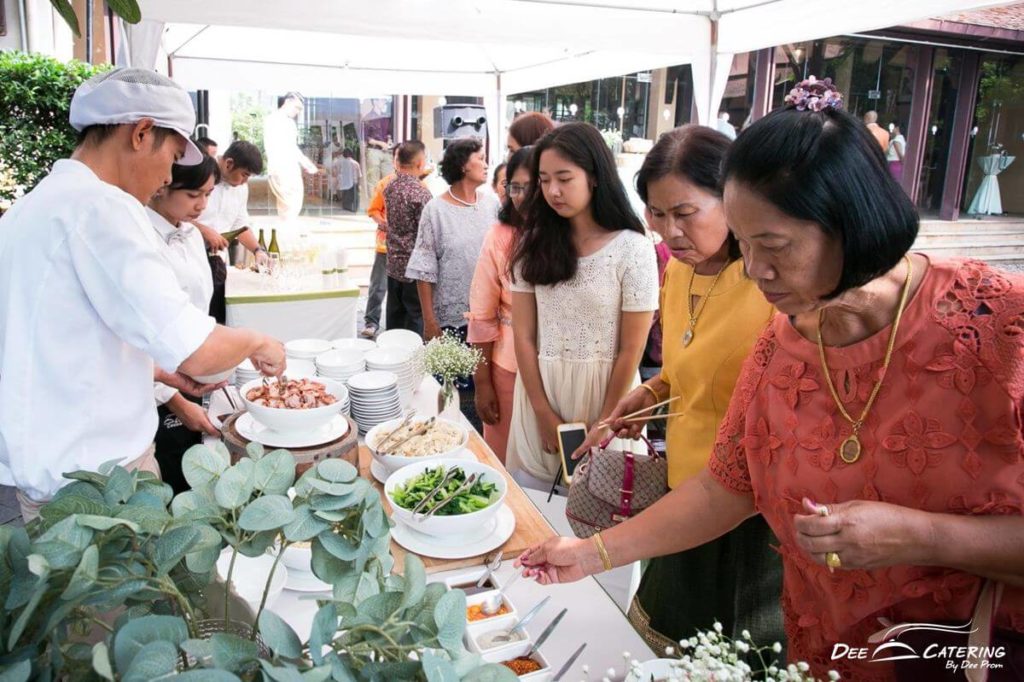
[{"x": 491, "y": 311}]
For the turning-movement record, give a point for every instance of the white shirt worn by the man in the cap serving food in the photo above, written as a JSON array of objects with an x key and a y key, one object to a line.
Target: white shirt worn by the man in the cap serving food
[{"x": 88, "y": 305}]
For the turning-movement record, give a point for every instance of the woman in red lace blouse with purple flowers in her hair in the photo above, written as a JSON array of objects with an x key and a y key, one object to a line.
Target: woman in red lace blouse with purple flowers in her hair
[{"x": 895, "y": 489}]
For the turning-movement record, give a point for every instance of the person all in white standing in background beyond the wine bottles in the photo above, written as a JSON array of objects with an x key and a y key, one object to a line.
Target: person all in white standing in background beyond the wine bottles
[{"x": 285, "y": 161}]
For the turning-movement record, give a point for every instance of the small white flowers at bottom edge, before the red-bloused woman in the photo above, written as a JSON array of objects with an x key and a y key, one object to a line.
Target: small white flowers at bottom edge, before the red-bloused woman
[{"x": 712, "y": 656}]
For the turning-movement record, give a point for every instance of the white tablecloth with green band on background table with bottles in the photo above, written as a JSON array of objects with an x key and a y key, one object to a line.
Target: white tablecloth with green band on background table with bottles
[{"x": 298, "y": 311}]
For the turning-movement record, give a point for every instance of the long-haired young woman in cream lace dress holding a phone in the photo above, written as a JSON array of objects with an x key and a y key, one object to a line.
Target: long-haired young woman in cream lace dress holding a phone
[{"x": 584, "y": 291}]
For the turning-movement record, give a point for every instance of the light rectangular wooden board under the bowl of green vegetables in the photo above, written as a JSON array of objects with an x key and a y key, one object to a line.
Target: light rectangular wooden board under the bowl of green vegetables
[{"x": 531, "y": 527}]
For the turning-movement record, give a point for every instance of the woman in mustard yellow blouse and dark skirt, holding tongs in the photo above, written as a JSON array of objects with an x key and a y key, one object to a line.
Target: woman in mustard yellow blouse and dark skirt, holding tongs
[{"x": 711, "y": 315}]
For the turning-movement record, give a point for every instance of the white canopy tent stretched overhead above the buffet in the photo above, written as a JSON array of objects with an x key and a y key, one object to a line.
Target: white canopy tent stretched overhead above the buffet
[{"x": 489, "y": 49}]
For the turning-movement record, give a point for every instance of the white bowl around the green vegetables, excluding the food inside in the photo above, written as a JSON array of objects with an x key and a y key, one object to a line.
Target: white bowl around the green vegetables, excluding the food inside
[{"x": 446, "y": 527}]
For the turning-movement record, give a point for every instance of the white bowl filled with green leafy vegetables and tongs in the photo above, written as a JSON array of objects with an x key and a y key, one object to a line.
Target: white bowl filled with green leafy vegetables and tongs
[{"x": 459, "y": 507}]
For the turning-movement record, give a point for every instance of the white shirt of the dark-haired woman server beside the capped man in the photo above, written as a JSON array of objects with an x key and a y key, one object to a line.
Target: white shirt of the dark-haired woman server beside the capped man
[{"x": 186, "y": 253}]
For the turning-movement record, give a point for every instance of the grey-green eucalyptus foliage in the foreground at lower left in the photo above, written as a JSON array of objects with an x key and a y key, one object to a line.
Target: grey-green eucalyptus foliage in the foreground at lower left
[{"x": 112, "y": 583}]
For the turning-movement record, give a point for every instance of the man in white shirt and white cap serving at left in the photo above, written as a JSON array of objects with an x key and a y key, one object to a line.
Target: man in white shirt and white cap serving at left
[{"x": 88, "y": 303}]
